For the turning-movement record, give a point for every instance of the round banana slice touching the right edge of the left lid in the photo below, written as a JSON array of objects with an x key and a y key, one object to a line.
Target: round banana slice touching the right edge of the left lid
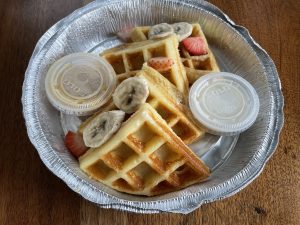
[{"x": 130, "y": 94}]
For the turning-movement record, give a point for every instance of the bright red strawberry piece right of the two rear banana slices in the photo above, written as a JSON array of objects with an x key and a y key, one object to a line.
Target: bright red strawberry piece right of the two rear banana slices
[{"x": 195, "y": 45}]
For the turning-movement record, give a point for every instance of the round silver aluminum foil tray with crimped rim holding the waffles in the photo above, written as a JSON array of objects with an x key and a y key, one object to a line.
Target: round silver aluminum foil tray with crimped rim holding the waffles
[{"x": 235, "y": 161}]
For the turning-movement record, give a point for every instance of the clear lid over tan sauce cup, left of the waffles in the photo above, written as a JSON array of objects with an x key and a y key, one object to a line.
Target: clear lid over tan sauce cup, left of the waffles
[{"x": 80, "y": 83}]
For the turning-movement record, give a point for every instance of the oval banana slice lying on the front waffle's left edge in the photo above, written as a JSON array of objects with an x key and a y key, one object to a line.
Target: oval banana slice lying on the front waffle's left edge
[{"x": 102, "y": 127}]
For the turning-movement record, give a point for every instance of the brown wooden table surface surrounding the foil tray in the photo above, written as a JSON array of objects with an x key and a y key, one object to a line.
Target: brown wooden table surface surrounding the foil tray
[{"x": 30, "y": 194}]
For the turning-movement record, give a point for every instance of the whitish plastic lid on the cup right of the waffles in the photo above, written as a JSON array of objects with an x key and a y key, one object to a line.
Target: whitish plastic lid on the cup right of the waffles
[{"x": 224, "y": 103}]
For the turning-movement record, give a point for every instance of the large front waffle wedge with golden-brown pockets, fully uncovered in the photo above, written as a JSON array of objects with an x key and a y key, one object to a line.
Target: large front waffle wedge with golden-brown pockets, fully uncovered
[{"x": 145, "y": 157}]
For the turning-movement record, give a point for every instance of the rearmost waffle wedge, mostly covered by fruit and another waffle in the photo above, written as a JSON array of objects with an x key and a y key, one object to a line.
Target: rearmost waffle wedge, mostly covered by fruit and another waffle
[{"x": 195, "y": 66}]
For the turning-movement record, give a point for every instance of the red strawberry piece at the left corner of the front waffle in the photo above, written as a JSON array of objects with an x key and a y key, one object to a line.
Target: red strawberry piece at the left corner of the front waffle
[{"x": 74, "y": 143}]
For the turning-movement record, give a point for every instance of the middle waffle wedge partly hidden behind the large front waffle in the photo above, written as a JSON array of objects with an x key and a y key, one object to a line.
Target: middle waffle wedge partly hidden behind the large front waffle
[{"x": 168, "y": 103}]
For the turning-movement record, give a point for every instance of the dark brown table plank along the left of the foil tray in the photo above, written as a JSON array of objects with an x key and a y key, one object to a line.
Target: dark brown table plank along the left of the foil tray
[{"x": 30, "y": 194}]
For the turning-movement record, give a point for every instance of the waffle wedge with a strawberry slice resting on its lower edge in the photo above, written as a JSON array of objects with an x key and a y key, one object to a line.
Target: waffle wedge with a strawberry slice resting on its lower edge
[{"x": 129, "y": 58}]
